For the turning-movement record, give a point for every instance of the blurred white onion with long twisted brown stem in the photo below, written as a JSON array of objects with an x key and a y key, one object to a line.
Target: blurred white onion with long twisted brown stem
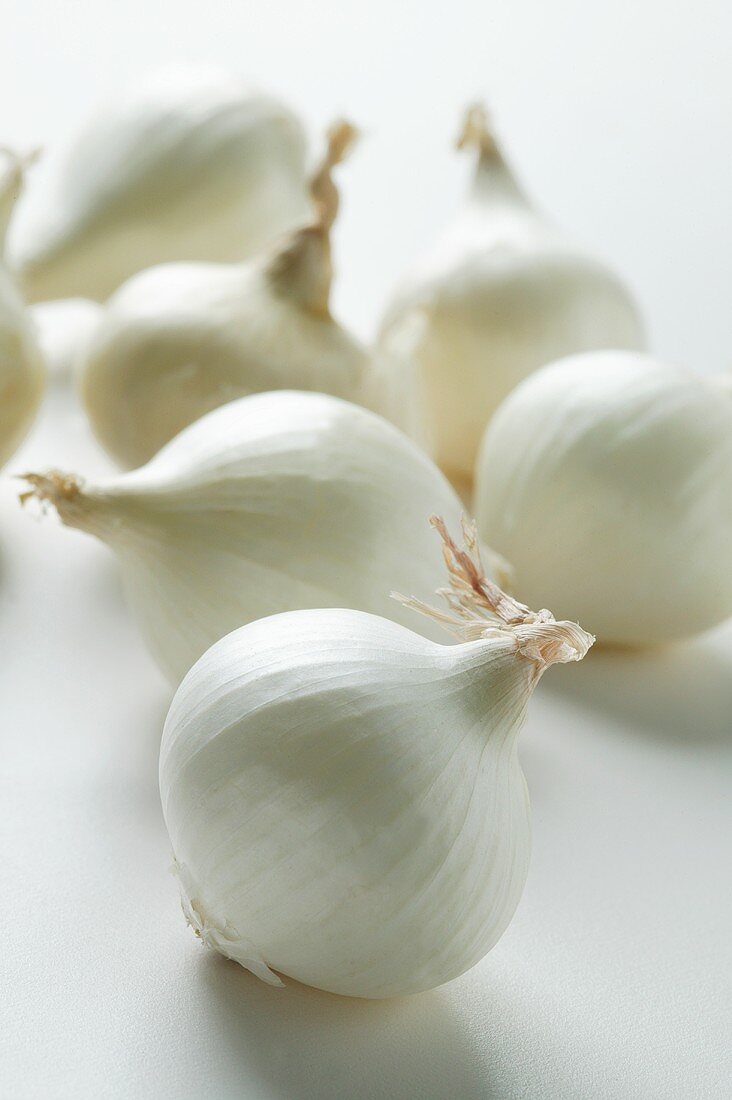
[{"x": 179, "y": 340}]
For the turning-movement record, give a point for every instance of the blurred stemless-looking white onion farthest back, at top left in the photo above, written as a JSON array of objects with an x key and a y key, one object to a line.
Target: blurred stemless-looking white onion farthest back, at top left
[{"x": 190, "y": 164}]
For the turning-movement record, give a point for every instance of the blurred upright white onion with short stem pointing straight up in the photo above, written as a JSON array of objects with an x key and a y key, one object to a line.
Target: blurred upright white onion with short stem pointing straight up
[{"x": 501, "y": 294}]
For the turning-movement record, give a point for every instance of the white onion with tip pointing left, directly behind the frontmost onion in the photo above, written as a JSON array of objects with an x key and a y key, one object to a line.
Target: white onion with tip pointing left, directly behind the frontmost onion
[{"x": 275, "y": 502}]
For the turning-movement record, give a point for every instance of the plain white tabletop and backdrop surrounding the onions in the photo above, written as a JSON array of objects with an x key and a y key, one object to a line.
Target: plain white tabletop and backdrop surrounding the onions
[{"x": 614, "y": 980}]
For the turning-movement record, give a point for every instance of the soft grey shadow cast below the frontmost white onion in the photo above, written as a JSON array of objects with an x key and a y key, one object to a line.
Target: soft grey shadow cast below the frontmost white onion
[{"x": 311, "y": 1046}]
